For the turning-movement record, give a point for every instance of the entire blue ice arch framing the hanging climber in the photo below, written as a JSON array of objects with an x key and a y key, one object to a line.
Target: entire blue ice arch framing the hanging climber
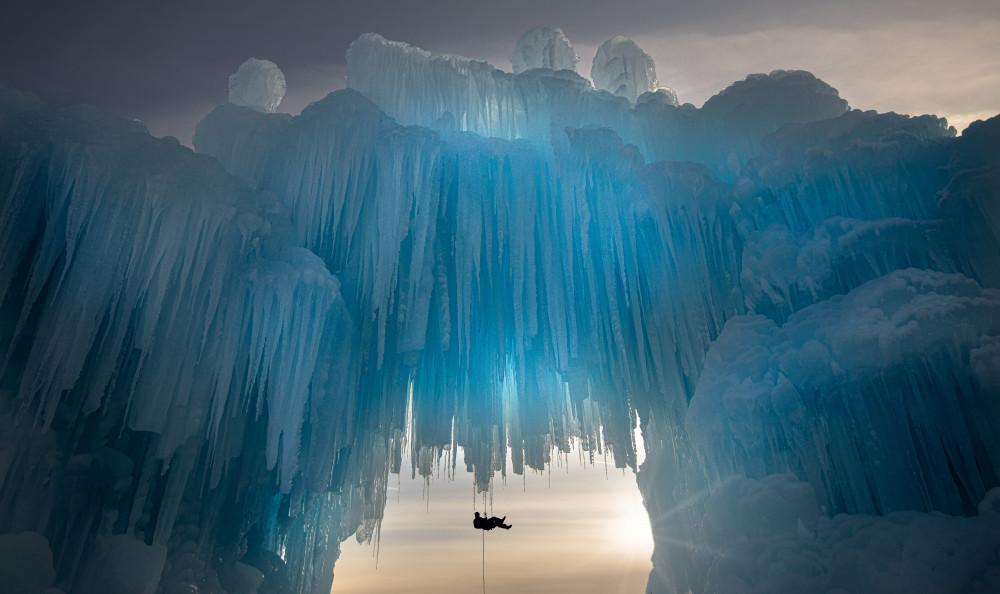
[{"x": 213, "y": 362}]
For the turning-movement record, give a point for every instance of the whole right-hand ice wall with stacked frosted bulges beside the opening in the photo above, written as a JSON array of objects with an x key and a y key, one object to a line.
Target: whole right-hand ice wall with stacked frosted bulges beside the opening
[{"x": 854, "y": 414}]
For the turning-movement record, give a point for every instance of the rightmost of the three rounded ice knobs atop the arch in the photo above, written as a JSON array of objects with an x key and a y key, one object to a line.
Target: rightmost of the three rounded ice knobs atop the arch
[{"x": 623, "y": 69}]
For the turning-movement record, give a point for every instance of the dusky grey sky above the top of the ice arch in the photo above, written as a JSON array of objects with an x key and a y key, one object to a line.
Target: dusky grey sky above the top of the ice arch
[{"x": 167, "y": 63}]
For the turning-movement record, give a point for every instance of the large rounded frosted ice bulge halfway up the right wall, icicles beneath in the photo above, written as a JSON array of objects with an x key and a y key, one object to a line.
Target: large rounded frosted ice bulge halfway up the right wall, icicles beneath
[{"x": 767, "y": 392}]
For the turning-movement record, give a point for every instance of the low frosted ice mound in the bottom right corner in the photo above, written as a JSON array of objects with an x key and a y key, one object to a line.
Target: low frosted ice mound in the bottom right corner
[{"x": 771, "y": 537}]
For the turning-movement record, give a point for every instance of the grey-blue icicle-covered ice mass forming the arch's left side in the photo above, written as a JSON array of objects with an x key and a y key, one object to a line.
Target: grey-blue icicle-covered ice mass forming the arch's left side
[{"x": 154, "y": 321}]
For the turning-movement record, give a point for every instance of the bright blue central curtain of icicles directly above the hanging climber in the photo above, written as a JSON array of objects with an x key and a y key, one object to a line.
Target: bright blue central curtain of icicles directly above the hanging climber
[{"x": 479, "y": 263}]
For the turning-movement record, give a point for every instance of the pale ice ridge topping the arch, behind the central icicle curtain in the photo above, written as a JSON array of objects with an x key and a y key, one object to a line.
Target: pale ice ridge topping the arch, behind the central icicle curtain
[{"x": 447, "y": 93}]
